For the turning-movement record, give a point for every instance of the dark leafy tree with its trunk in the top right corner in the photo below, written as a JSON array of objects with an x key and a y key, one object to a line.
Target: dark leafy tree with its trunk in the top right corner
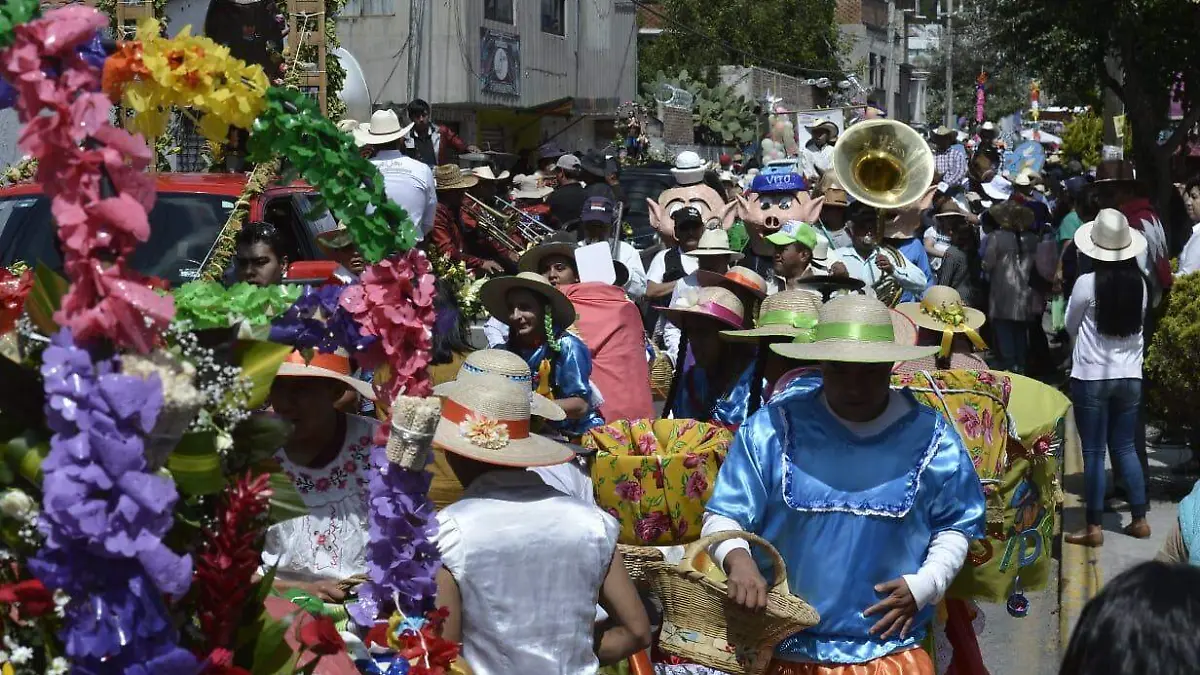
[{"x": 1156, "y": 45}]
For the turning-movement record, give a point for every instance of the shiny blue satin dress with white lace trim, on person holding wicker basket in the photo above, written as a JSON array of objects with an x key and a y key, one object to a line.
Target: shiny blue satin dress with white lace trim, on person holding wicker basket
[{"x": 848, "y": 513}]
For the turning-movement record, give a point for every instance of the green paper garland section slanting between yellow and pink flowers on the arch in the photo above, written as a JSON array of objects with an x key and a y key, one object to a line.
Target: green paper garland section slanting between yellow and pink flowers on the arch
[{"x": 329, "y": 162}]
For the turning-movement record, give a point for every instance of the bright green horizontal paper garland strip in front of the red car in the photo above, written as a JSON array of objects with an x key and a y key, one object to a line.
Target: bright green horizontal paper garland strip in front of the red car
[{"x": 208, "y": 304}]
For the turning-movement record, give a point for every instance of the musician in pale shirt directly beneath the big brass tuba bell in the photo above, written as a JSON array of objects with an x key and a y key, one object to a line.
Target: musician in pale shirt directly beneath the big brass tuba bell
[{"x": 884, "y": 270}]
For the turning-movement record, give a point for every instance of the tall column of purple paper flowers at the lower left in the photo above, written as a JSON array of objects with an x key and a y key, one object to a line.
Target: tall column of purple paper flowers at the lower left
[{"x": 104, "y": 517}]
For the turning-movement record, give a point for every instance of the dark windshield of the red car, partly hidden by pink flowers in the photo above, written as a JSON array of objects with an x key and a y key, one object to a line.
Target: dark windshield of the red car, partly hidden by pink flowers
[{"x": 183, "y": 229}]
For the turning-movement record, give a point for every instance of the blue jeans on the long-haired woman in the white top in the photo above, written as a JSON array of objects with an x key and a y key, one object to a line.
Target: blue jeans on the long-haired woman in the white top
[{"x": 1107, "y": 415}]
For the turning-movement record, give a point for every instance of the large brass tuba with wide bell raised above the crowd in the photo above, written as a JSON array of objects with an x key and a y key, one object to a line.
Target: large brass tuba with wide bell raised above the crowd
[{"x": 887, "y": 165}]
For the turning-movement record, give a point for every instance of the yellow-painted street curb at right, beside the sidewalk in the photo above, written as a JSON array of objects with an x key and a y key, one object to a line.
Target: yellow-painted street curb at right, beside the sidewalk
[{"x": 1079, "y": 574}]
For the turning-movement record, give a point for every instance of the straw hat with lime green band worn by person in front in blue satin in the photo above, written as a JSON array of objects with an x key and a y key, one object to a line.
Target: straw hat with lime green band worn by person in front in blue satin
[{"x": 854, "y": 330}]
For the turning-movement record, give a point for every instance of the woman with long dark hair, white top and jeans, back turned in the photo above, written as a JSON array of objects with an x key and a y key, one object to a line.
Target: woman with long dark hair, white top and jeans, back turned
[{"x": 1105, "y": 318}]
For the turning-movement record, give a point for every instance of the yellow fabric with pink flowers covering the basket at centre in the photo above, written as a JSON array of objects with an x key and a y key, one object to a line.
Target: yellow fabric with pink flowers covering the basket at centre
[{"x": 656, "y": 476}]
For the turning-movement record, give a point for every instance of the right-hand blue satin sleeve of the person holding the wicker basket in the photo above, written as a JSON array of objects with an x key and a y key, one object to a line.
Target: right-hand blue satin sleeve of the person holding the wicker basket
[{"x": 961, "y": 504}]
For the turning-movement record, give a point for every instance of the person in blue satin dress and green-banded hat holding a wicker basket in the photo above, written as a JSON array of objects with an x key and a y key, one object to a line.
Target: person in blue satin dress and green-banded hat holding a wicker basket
[{"x": 871, "y": 498}]
